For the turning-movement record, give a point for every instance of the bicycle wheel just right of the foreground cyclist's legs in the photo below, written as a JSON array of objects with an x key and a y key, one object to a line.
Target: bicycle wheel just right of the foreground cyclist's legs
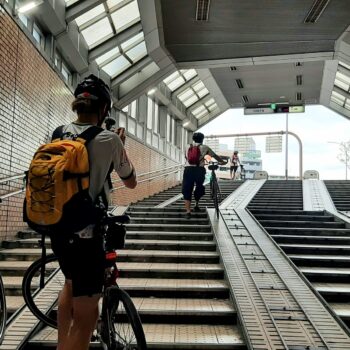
[{"x": 123, "y": 335}]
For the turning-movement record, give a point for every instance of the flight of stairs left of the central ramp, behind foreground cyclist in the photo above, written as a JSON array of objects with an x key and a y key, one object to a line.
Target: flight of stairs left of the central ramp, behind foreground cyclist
[{"x": 171, "y": 269}]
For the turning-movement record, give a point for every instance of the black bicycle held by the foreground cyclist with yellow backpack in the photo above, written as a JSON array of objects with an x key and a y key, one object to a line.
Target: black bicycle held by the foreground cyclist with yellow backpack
[{"x": 119, "y": 325}]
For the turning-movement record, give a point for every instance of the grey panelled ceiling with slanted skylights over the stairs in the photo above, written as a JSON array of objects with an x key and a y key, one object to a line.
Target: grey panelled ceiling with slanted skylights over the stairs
[{"x": 194, "y": 64}]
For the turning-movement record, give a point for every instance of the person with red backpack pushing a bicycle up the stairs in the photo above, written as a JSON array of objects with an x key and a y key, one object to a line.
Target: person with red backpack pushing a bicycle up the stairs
[{"x": 194, "y": 173}]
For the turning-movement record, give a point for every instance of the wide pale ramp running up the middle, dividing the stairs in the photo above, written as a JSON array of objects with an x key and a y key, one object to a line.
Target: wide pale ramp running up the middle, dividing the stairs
[{"x": 288, "y": 306}]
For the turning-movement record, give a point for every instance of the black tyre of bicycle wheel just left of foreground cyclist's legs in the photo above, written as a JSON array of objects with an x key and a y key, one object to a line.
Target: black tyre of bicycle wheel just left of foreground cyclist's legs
[{"x": 30, "y": 287}]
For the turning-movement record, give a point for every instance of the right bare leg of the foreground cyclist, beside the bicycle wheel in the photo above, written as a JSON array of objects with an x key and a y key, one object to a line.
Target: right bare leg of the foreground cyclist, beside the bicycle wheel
[{"x": 85, "y": 314}]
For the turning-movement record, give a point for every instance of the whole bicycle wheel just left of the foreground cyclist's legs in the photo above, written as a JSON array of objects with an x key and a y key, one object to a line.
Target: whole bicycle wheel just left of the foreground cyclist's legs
[{"x": 42, "y": 274}]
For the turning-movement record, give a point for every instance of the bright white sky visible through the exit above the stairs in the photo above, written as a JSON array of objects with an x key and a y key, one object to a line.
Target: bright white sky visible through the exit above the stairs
[{"x": 317, "y": 127}]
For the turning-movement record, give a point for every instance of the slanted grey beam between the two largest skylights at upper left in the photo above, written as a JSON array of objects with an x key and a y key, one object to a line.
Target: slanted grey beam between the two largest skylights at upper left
[{"x": 114, "y": 41}]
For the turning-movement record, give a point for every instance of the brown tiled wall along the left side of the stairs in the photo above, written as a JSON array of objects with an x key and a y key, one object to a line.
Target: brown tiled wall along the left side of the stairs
[{"x": 33, "y": 101}]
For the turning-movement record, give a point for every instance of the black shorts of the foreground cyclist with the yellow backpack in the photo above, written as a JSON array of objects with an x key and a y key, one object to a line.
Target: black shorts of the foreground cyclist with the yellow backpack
[{"x": 82, "y": 260}]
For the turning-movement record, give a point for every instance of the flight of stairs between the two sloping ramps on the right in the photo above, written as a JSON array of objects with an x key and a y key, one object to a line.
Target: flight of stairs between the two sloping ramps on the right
[{"x": 317, "y": 243}]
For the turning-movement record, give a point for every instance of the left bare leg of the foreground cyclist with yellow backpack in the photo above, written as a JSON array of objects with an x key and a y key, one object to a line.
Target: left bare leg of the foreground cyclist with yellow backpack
[{"x": 65, "y": 313}]
